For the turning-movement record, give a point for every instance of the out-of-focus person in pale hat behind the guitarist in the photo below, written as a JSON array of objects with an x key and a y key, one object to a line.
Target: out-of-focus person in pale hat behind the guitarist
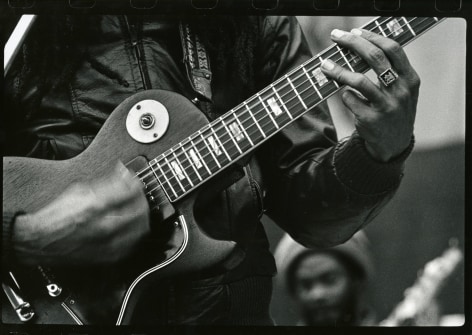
[{"x": 328, "y": 285}]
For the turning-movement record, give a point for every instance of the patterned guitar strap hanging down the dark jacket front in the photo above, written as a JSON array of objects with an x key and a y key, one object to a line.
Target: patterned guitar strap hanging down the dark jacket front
[{"x": 197, "y": 64}]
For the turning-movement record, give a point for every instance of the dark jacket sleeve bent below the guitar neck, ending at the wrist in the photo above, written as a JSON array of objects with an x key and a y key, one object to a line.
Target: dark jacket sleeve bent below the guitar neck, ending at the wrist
[{"x": 325, "y": 199}]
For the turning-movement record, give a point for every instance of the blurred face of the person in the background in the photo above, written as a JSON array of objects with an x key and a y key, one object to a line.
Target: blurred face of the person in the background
[{"x": 323, "y": 290}]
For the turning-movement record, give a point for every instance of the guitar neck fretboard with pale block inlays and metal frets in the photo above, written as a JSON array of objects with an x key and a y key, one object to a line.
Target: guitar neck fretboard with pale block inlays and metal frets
[{"x": 190, "y": 163}]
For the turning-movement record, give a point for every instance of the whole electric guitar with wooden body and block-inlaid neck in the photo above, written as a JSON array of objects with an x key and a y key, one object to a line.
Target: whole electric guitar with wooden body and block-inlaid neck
[{"x": 174, "y": 151}]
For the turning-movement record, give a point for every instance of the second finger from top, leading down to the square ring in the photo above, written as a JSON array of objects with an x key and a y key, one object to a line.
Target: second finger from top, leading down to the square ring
[{"x": 371, "y": 53}]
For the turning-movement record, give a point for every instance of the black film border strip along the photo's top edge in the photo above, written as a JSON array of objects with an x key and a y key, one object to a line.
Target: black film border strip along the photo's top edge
[{"x": 287, "y": 7}]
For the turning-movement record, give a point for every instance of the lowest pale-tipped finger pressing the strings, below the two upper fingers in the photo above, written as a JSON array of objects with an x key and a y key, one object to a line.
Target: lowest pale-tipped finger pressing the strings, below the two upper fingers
[{"x": 356, "y": 80}]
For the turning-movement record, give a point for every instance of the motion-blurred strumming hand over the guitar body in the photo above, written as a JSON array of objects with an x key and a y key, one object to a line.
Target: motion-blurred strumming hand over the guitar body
[{"x": 97, "y": 222}]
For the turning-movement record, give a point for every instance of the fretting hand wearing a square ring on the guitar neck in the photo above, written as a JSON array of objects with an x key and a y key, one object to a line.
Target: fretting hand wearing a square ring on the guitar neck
[{"x": 384, "y": 113}]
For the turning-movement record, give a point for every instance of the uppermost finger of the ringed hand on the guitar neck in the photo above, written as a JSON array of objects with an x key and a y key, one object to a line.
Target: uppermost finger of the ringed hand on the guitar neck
[{"x": 391, "y": 48}]
